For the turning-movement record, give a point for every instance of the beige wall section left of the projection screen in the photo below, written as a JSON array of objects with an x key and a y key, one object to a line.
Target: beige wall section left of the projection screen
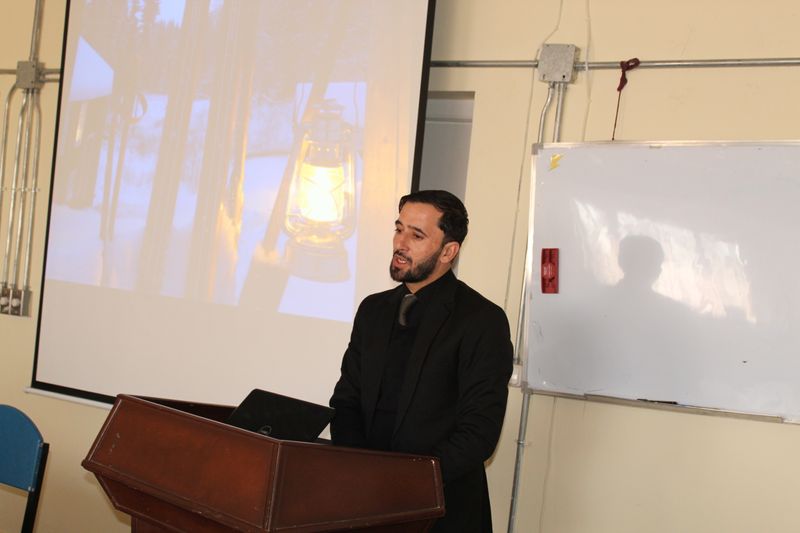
[{"x": 71, "y": 500}]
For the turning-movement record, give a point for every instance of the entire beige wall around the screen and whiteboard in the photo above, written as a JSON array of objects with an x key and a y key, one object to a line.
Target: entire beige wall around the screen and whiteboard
[{"x": 588, "y": 467}]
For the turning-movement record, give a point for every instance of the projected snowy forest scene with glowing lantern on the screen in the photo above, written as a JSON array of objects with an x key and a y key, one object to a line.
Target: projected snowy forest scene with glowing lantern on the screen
[{"x": 228, "y": 165}]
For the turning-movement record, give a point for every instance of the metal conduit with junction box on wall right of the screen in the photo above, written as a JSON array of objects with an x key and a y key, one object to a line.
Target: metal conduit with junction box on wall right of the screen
[{"x": 557, "y": 65}]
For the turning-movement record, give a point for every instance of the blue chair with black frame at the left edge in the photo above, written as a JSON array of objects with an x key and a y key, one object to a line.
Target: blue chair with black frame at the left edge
[{"x": 23, "y": 456}]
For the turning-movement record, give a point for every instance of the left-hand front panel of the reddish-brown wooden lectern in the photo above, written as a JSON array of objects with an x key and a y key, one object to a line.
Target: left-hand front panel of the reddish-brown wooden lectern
[{"x": 187, "y": 458}]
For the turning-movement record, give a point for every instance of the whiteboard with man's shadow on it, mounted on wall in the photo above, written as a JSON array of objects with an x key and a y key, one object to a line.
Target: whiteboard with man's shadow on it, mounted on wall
[{"x": 677, "y": 274}]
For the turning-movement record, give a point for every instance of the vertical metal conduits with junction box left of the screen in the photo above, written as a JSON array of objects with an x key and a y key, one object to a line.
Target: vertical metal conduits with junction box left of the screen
[{"x": 18, "y": 192}]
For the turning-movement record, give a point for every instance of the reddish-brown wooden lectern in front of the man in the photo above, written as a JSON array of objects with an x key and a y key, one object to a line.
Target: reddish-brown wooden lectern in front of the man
[{"x": 176, "y": 466}]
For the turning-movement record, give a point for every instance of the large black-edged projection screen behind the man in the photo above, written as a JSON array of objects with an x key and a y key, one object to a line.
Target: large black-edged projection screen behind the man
[{"x": 224, "y": 191}]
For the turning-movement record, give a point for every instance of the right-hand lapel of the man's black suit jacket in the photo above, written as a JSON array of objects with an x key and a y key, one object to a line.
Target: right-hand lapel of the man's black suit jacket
[{"x": 431, "y": 323}]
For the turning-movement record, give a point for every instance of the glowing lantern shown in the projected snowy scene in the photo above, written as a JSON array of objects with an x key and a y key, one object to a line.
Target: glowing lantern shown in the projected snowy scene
[{"x": 320, "y": 211}]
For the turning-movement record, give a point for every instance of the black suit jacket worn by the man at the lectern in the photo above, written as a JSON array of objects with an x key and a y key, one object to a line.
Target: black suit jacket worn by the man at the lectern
[{"x": 453, "y": 398}]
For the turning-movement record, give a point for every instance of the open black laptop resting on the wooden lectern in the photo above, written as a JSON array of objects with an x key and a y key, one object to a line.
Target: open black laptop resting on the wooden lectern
[{"x": 281, "y": 417}]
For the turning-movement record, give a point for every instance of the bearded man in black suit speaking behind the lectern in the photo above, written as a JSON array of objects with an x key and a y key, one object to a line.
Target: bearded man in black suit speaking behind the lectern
[{"x": 431, "y": 380}]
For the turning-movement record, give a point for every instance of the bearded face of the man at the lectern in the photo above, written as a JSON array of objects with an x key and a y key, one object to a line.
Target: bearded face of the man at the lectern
[{"x": 420, "y": 256}]
